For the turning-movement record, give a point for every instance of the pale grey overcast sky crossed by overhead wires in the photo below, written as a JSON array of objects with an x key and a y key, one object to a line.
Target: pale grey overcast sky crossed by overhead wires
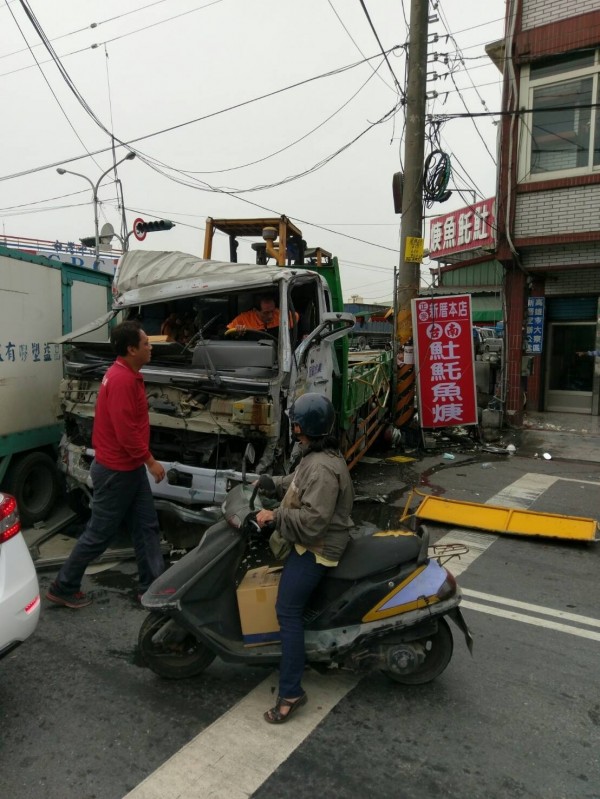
[{"x": 184, "y": 65}]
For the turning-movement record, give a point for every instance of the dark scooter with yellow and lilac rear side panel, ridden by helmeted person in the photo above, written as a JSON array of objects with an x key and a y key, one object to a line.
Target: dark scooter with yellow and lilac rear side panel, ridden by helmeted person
[{"x": 383, "y": 607}]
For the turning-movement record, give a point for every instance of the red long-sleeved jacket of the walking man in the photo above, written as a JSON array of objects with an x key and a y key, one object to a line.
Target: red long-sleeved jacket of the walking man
[{"x": 121, "y": 425}]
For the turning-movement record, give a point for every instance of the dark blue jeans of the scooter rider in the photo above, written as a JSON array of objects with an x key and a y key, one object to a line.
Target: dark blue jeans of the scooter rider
[{"x": 301, "y": 575}]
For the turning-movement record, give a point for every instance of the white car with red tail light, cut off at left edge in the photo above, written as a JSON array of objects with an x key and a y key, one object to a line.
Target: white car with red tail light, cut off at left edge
[{"x": 19, "y": 589}]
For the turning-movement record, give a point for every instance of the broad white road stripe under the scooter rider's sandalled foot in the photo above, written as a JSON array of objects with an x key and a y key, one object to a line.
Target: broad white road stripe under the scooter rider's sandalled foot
[{"x": 232, "y": 757}]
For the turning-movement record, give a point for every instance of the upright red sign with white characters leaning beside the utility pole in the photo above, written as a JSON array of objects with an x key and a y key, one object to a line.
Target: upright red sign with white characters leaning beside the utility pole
[{"x": 444, "y": 349}]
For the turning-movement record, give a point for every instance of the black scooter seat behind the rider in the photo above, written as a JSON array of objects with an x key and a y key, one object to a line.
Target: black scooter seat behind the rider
[{"x": 372, "y": 554}]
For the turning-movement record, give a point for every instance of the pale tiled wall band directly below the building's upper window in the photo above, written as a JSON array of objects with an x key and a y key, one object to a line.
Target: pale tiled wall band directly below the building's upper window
[{"x": 573, "y": 209}]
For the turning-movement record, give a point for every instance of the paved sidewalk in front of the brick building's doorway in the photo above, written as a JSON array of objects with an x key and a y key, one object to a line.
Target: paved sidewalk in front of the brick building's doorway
[{"x": 569, "y": 436}]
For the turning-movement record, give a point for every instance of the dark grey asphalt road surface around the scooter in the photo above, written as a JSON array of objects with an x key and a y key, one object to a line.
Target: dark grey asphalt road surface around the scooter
[{"x": 80, "y": 719}]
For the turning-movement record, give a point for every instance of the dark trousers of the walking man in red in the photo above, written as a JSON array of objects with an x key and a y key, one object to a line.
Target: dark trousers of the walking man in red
[{"x": 118, "y": 497}]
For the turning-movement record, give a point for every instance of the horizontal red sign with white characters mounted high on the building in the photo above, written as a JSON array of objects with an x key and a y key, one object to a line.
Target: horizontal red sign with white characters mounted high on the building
[{"x": 465, "y": 229}]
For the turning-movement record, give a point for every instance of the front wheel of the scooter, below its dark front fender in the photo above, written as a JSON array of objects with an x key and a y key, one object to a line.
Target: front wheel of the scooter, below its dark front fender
[{"x": 170, "y": 651}]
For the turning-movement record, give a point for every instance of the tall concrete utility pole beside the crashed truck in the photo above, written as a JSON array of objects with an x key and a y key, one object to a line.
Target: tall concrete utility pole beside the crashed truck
[{"x": 412, "y": 204}]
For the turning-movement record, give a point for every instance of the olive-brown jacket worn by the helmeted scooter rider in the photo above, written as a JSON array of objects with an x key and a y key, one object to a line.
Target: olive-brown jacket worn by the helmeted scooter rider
[{"x": 316, "y": 506}]
